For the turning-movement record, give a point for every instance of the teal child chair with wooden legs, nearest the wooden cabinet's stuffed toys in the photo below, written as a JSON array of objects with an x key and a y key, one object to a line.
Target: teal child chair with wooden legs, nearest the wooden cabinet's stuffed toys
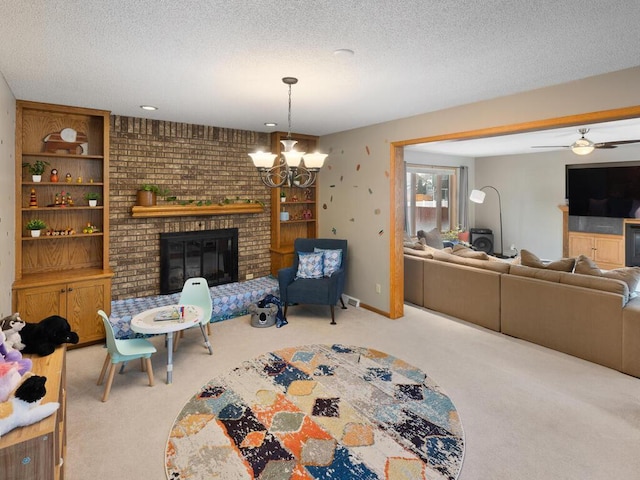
[{"x": 119, "y": 351}]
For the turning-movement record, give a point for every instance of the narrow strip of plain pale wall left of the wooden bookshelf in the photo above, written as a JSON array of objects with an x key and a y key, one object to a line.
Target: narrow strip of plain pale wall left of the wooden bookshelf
[{"x": 7, "y": 194}]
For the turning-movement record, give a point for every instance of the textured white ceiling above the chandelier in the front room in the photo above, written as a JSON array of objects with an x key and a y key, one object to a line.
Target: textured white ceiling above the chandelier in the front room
[{"x": 220, "y": 62}]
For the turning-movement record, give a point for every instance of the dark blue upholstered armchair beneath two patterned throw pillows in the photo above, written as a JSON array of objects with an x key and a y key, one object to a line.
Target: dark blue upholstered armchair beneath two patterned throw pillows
[{"x": 314, "y": 291}]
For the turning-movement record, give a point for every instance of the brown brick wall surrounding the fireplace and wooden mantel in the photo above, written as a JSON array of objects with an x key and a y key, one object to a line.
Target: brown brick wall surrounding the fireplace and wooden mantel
[{"x": 194, "y": 162}]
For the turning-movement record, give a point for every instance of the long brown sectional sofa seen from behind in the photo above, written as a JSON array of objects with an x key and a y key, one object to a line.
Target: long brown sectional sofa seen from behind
[{"x": 586, "y": 316}]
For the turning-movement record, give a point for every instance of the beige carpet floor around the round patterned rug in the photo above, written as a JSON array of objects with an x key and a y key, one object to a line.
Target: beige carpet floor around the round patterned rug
[{"x": 527, "y": 412}]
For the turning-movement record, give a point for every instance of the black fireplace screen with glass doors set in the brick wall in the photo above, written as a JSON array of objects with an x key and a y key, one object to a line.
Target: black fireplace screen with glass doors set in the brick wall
[{"x": 212, "y": 254}]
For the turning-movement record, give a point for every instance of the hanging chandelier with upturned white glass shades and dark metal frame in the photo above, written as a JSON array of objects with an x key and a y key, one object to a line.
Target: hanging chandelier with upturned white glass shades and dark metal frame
[{"x": 292, "y": 168}]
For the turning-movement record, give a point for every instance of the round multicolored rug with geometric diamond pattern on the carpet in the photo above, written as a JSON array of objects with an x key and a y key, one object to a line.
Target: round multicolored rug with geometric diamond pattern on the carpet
[{"x": 318, "y": 412}]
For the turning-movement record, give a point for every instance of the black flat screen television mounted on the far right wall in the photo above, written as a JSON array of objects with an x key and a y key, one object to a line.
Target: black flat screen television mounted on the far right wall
[{"x": 604, "y": 189}]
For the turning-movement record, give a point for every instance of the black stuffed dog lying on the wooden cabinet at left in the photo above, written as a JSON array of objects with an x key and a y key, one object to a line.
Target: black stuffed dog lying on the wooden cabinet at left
[{"x": 43, "y": 337}]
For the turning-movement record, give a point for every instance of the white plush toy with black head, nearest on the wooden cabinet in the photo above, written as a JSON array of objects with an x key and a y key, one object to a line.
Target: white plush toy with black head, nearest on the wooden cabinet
[{"x": 24, "y": 408}]
